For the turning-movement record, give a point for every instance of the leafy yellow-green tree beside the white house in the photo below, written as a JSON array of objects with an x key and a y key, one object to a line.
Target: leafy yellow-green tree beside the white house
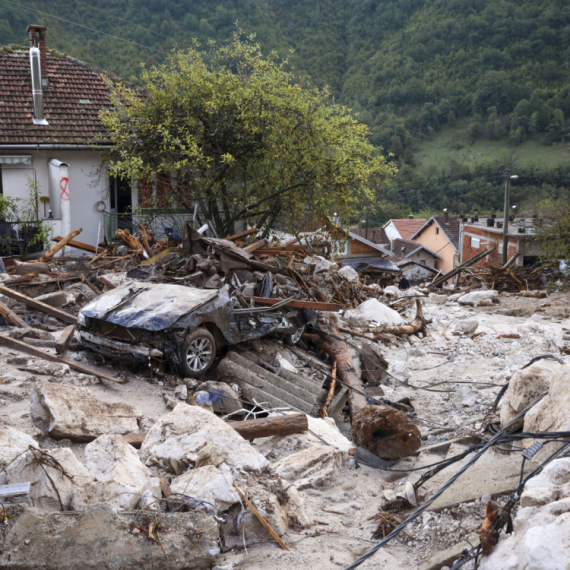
[{"x": 236, "y": 133}]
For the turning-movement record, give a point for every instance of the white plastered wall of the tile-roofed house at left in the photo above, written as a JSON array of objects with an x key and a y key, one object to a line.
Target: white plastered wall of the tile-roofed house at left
[{"x": 86, "y": 187}]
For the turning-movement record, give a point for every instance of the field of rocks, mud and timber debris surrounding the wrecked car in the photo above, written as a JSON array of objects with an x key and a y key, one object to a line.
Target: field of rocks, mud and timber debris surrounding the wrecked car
[{"x": 330, "y": 443}]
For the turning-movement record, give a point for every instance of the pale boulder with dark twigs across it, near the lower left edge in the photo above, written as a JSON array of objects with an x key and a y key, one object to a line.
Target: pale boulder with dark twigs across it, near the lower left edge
[{"x": 54, "y": 475}]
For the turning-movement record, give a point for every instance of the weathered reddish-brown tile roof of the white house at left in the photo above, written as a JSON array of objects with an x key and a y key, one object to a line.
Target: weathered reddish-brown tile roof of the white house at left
[{"x": 72, "y": 101}]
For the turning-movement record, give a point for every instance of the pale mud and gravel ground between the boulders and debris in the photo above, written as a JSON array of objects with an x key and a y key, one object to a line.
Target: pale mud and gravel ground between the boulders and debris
[{"x": 466, "y": 372}]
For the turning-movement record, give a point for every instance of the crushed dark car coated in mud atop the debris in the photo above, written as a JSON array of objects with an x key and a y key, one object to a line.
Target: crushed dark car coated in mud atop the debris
[{"x": 181, "y": 325}]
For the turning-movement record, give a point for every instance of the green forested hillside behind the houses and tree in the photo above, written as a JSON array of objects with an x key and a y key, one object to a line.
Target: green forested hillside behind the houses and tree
[{"x": 425, "y": 75}]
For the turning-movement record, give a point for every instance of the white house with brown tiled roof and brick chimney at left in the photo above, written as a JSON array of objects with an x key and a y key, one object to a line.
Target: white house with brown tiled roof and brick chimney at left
[{"x": 51, "y": 138}]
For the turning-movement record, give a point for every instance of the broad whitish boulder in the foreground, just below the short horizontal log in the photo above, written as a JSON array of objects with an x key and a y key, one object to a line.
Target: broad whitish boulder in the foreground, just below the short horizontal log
[{"x": 183, "y": 432}]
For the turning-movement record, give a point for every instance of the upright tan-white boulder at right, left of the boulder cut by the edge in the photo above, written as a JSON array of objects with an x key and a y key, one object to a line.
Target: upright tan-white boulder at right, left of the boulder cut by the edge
[{"x": 526, "y": 385}]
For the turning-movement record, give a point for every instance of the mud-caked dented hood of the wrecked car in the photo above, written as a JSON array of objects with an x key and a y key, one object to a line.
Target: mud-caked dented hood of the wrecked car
[{"x": 149, "y": 306}]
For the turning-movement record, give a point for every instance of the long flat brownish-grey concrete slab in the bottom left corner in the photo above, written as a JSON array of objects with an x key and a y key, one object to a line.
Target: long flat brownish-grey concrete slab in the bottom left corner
[{"x": 101, "y": 538}]
